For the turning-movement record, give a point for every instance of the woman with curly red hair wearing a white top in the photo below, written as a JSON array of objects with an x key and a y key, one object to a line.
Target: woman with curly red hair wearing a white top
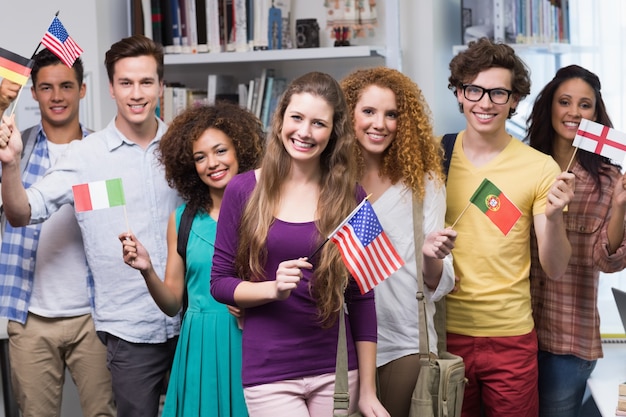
[{"x": 398, "y": 158}]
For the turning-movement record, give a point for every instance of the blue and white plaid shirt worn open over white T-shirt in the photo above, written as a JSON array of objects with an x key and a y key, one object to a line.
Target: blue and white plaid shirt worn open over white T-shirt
[{"x": 19, "y": 244}]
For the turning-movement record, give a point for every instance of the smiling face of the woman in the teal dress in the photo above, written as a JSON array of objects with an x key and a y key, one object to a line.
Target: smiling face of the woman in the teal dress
[{"x": 215, "y": 157}]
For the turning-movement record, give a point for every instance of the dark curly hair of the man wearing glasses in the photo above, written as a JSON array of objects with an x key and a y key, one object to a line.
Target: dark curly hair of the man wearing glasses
[{"x": 483, "y": 54}]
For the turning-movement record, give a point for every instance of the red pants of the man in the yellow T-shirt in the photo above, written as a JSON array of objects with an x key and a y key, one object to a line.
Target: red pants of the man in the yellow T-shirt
[{"x": 501, "y": 372}]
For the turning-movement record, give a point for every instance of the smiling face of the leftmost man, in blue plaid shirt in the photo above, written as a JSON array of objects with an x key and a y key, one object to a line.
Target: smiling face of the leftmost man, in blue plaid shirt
[{"x": 58, "y": 93}]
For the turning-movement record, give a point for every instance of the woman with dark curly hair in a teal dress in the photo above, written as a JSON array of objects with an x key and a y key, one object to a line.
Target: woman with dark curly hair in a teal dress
[{"x": 202, "y": 150}]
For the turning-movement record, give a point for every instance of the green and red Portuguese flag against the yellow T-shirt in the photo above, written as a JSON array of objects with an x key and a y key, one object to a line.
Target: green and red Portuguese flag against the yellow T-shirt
[{"x": 500, "y": 210}]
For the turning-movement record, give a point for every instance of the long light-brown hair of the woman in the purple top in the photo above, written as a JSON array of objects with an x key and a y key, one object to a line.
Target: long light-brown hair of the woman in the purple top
[{"x": 336, "y": 201}]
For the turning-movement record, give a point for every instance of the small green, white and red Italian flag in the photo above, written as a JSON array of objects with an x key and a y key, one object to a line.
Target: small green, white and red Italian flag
[{"x": 98, "y": 195}]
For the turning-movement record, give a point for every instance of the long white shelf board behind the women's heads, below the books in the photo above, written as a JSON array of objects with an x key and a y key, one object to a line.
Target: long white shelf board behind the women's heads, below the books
[{"x": 275, "y": 55}]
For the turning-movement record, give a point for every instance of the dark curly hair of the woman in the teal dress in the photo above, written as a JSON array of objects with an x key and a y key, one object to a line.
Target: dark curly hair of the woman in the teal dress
[{"x": 175, "y": 149}]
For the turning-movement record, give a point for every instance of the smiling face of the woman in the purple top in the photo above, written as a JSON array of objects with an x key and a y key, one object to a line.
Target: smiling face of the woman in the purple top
[{"x": 307, "y": 126}]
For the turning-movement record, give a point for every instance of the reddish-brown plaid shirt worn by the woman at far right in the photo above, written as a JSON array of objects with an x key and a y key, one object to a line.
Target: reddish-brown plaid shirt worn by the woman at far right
[{"x": 565, "y": 309}]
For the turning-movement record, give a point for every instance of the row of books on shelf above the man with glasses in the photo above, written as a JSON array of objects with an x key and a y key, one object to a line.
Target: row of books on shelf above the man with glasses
[{"x": 516, "y": 21}]
